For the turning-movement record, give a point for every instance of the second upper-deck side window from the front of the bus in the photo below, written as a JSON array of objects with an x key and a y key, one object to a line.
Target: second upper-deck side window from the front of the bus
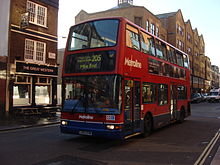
[{"x": 147, "y": 44}]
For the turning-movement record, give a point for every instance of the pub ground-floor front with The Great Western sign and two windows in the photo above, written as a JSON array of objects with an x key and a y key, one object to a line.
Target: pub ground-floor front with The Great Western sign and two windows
[{"x": 34, "y": 89}]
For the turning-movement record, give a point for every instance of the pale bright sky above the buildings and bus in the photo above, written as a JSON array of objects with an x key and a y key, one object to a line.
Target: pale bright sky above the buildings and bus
[{"x": 203, "y": 15}]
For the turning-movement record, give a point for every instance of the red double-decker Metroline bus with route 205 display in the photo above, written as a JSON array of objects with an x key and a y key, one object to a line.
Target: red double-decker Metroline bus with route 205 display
[{"x": 120, "y": 81}]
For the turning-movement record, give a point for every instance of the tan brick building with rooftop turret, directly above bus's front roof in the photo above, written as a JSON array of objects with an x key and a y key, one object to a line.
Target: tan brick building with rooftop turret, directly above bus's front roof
[{"x": 137, "y": 14}]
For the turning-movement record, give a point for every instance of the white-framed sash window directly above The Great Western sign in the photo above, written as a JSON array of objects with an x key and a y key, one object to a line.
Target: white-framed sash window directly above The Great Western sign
[{"x": 34, "y": 51}]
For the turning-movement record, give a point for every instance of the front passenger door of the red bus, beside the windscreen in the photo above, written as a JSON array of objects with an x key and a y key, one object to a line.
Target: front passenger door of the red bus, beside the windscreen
[{"x": 132, "y": 106}]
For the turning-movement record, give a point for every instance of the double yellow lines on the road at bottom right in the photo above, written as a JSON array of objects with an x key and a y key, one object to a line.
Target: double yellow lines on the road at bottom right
[{"x": 208, "y": 149}]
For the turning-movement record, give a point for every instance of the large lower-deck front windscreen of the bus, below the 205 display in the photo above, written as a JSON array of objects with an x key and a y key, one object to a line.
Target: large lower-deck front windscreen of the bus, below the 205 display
[{"x": 92, "y": 94}]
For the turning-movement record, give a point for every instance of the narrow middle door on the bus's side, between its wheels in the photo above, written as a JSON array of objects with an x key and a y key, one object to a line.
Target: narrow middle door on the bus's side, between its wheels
[{"x": 173, "y": 102}]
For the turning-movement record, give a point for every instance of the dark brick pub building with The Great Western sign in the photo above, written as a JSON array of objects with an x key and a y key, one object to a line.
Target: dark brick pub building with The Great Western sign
[{"x": 31, "y": 58}]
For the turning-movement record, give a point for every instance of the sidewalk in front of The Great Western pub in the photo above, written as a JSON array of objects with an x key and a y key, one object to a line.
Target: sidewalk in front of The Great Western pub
[{"x": 27, "y": 122}]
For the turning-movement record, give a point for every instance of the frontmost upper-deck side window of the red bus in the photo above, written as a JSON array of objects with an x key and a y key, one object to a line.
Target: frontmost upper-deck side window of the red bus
[{"x": 132, "y": 37}]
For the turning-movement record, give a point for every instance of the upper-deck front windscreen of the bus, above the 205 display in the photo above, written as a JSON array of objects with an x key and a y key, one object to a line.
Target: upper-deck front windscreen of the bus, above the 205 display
[{"x": 101, "y": 33}]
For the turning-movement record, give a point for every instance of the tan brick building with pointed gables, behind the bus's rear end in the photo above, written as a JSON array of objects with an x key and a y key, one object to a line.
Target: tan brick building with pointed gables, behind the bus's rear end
[{"x": 181, "y": 35}]
